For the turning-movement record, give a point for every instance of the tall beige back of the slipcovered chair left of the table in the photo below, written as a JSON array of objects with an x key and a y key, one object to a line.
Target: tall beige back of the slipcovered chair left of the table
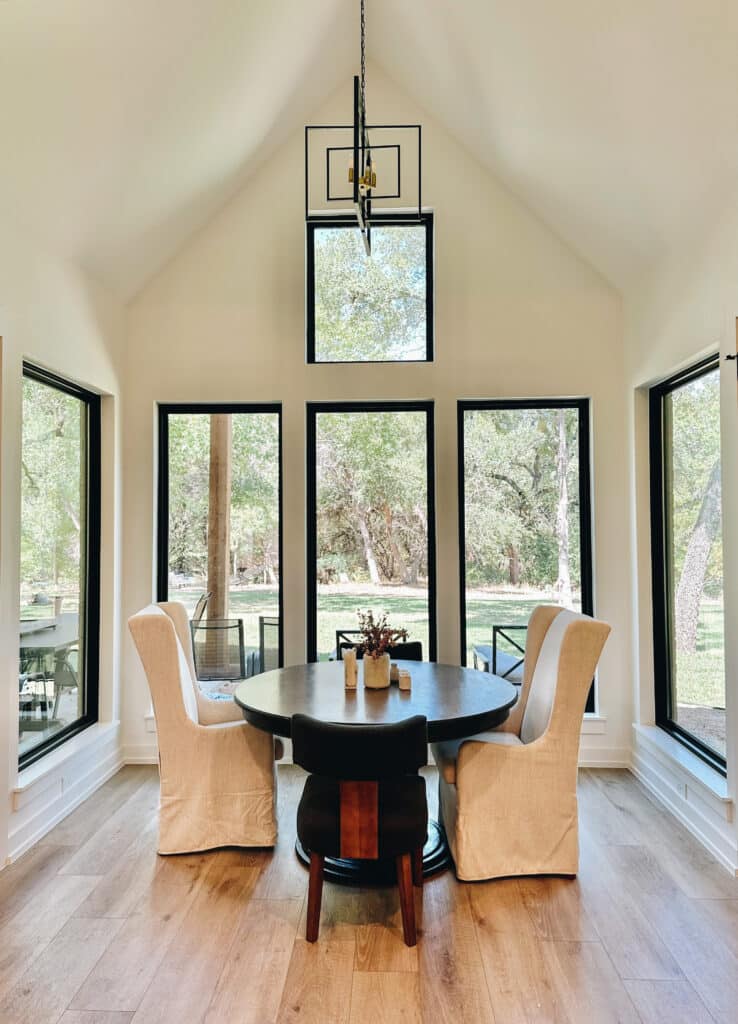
[{"x": 167, "y": 667}]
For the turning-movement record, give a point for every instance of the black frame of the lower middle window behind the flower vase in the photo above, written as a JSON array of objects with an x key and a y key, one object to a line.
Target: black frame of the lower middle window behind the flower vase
[{"x": 313, "y": 411}]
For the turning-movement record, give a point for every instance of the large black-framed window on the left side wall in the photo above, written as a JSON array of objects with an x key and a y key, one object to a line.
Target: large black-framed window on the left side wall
[{"x": 60, "y": 563}]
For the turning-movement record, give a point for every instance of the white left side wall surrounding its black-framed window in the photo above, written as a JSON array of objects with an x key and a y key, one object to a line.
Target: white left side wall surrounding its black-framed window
[{"x": 55, "y": 316}]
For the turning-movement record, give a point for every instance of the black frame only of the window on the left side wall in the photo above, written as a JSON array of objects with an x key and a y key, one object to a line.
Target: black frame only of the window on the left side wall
[{"x": 91, "y": 650}]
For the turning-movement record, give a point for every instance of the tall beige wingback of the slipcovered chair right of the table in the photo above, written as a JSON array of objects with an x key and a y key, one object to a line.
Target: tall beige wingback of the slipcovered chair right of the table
[{"x": 562, "y": 675}]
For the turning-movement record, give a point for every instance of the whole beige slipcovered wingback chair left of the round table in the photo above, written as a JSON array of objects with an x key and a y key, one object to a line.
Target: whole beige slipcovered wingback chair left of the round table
[{"x": 219, "y": 781}]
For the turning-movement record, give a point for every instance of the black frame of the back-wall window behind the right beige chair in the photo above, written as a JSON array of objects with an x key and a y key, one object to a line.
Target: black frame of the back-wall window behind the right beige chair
[{"x": 583, "y": 406}]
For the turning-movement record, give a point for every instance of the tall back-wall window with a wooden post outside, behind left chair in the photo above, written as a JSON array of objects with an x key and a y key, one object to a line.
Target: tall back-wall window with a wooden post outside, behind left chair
[{"x": 221, "y": 533}]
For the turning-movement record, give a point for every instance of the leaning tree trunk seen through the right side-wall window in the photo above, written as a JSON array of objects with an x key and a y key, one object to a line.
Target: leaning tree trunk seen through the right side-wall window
[{"x": 694, "y": 571}]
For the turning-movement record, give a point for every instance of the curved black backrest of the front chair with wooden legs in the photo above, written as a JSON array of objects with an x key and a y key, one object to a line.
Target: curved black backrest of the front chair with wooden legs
[{"x": 360, "y": 753}]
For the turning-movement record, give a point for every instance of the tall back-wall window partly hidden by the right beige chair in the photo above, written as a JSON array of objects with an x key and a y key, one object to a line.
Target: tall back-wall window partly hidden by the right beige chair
[{"x": 526, "y": 533}]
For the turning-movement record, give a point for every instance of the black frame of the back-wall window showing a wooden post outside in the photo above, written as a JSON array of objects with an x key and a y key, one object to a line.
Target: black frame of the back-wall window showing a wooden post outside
[{"x": 165, "y": 410}]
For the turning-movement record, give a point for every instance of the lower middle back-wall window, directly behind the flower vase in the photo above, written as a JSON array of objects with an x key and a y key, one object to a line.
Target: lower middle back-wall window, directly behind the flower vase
[{"x": 371, "y": 521}]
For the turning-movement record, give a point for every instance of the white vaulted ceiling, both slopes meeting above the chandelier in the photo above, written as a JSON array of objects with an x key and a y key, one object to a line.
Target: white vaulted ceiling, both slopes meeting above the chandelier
[{"x": 126, "y": 124}]
